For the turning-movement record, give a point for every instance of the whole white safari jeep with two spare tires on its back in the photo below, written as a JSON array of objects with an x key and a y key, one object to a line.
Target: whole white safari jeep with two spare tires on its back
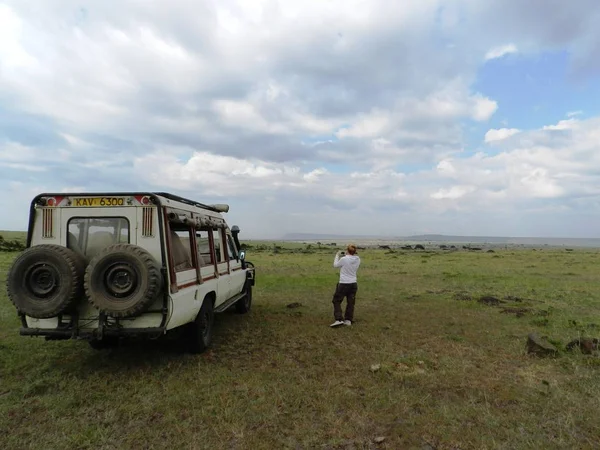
[{"x": 104, "y": 266}]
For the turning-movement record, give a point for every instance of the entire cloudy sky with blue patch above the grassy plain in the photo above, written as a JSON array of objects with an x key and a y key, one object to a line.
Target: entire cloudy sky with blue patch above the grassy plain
[{"x": 462, "y": 117}]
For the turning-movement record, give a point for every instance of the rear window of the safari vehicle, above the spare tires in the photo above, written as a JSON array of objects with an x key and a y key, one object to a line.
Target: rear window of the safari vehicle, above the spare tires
[{"x": 88, "y": 236}]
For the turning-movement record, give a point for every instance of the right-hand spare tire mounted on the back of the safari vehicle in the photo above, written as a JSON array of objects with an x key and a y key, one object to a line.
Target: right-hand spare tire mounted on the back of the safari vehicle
[{"x": 122, "y": 280}]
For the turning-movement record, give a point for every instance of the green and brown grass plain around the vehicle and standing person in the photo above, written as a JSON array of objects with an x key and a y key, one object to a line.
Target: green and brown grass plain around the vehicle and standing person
[{"x": 453, "y": 373}]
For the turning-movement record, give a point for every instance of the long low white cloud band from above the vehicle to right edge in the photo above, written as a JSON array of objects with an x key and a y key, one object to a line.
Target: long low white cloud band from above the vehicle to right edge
[{"x": 513, "y": 175}]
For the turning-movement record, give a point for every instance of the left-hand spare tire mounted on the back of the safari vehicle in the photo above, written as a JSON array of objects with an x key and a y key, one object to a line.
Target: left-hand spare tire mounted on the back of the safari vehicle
[{"x": 45, "y": 280}]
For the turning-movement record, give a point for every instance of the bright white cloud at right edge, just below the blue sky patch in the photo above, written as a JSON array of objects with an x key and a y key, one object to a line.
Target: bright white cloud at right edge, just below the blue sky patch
[{"x": 536, "y": 166}]
